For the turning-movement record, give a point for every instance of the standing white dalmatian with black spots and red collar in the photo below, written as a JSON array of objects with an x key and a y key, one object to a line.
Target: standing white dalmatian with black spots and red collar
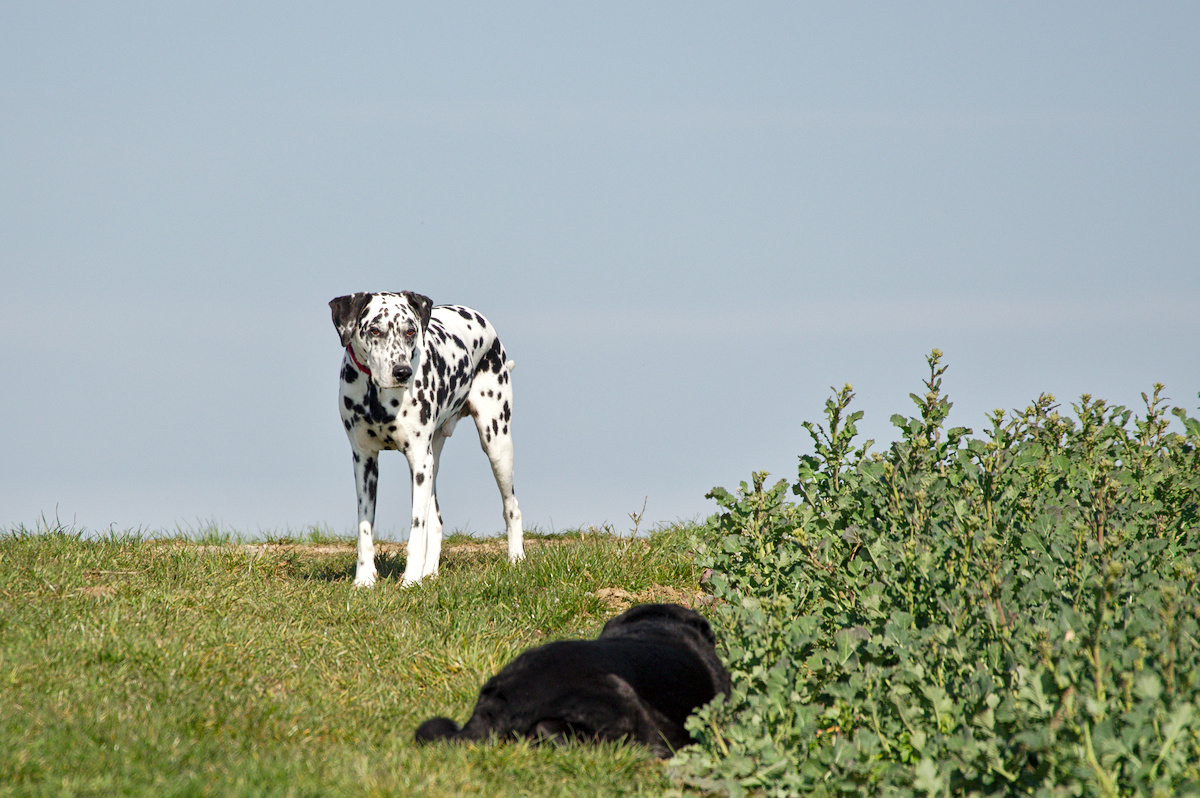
[{"x": 410, "y": 373}]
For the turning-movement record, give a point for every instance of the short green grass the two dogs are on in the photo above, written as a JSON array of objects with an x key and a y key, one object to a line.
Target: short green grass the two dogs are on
[{"x": 208, "y": 667}]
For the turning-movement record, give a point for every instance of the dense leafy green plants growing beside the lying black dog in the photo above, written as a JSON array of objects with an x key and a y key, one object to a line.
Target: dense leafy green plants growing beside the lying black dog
[{"x": 1009, "y": 615}]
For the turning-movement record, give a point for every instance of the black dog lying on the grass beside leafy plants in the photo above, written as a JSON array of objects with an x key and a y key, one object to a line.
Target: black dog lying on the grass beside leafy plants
[{"x": 650, "y": 669}]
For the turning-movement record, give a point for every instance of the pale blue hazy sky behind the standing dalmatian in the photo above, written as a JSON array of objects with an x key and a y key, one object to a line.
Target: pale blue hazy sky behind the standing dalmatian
[{"x": 686, "y": 220}]
